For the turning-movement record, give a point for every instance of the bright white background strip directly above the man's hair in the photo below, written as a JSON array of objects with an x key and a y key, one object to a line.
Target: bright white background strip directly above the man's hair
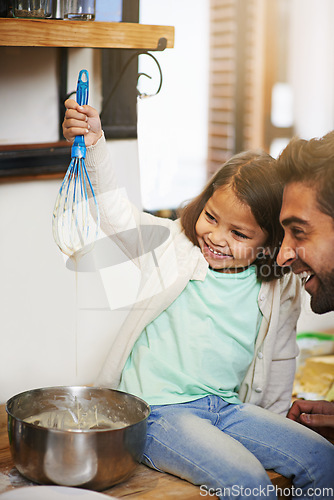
[{"x": 311, "y": 66}]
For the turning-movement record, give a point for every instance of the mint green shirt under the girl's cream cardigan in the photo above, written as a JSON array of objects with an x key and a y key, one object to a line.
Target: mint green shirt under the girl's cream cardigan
[{"x": 202, "y": 344}]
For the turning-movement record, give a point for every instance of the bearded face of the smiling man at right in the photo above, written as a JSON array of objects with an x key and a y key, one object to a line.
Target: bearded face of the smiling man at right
[{"x": 308, "y": 245}]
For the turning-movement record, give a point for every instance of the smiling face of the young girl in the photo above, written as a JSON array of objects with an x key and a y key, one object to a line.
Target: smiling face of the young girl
[{"x": 228, "y": 234}]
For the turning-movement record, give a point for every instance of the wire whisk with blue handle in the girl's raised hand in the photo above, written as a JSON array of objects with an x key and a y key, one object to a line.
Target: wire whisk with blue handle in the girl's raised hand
[{"x": 76, "y": 219}]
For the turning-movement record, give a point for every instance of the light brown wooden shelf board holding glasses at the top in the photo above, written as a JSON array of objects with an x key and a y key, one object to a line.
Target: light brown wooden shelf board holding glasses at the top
[{"x": 59, "y": 33}]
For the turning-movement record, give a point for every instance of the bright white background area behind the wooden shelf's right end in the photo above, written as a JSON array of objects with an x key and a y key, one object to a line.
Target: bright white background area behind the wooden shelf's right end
[{"x": 173, "y": 155}]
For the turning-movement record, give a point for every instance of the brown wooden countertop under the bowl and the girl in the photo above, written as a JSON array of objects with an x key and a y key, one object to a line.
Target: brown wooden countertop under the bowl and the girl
[{"x": 144, "y": 484}]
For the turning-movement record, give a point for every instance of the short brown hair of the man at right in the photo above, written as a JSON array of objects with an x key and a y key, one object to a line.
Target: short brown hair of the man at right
[{"x": 312, "y": 163}]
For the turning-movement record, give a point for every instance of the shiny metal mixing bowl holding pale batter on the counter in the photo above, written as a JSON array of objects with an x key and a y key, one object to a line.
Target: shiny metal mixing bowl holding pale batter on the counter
[{"x": 94, "y": 458}]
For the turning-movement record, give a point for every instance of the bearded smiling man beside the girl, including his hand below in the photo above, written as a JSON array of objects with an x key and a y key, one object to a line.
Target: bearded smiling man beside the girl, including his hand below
[{"x": 307, "y": 216}]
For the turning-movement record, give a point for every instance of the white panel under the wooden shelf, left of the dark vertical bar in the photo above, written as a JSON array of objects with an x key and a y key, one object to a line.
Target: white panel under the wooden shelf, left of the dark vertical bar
[{"x": 28, "y": 95}]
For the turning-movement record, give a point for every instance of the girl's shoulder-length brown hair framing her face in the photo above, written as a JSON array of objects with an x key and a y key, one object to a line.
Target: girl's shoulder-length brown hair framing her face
[{"x": 252, "y": 175}]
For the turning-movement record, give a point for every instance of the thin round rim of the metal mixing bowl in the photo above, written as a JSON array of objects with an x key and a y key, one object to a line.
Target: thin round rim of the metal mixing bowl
[{"x": 88, "y": 431}]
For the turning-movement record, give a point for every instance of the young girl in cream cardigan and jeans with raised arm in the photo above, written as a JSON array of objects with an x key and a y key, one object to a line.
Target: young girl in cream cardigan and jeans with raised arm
[{"x": 213, "y": 351}]
